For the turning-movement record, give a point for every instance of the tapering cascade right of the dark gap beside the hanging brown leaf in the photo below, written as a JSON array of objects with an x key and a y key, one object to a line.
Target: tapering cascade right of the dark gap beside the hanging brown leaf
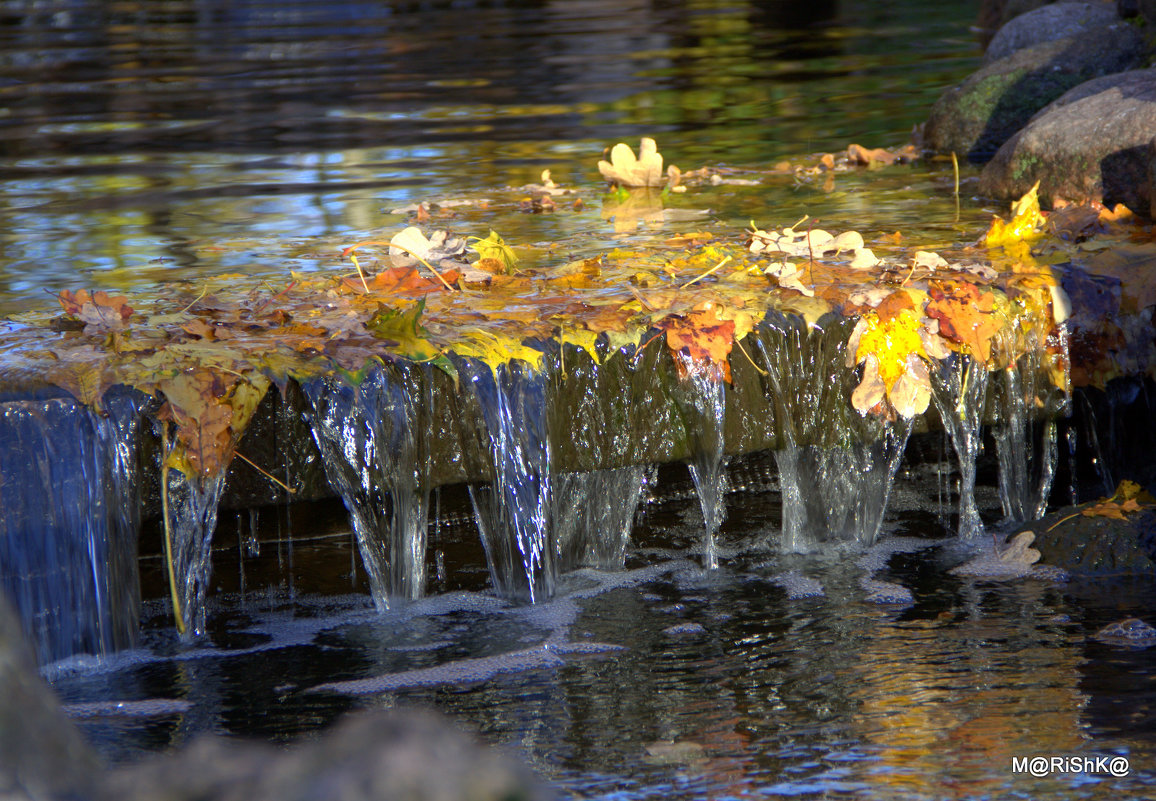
[{"x": 373, "y": 443}]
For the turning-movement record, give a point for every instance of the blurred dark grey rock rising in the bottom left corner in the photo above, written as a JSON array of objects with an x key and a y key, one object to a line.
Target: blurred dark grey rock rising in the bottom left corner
[{"x": 42, "y": 754}]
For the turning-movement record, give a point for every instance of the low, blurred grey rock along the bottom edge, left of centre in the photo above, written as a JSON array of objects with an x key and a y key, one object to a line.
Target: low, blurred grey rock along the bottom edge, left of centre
[{"x": 380, "y": 756}]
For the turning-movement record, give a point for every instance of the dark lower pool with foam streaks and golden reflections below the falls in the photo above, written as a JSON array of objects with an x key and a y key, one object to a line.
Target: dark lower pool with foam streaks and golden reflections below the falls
[{"x": 773, "y": 676}]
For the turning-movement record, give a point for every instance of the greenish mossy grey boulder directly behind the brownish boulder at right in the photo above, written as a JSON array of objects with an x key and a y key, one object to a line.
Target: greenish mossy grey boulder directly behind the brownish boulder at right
[{"x": 977, "y": 117}]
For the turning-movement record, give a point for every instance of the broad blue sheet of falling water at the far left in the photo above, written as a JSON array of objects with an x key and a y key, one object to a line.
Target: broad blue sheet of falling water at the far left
[{"x": 70, "y": 515}]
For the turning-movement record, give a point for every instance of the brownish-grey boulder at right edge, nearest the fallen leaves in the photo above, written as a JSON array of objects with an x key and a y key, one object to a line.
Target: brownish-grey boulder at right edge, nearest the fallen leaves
[{"x": 1092, "y": 144}]
